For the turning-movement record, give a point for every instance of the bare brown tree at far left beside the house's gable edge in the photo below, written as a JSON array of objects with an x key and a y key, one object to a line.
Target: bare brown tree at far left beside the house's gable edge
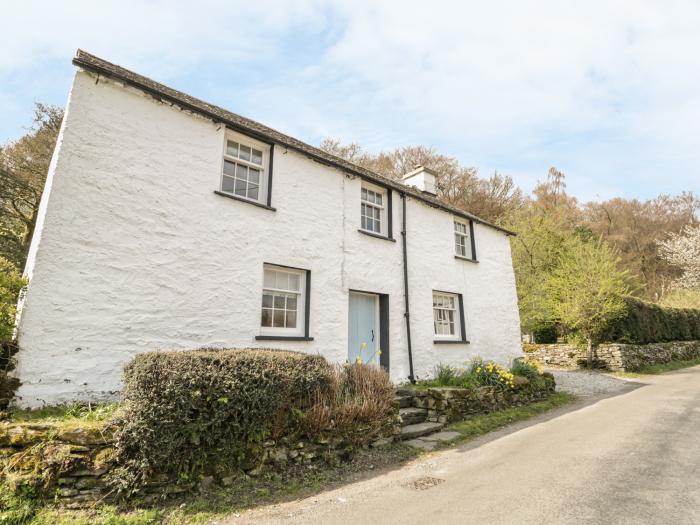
[{"x": 23, "y": 168}]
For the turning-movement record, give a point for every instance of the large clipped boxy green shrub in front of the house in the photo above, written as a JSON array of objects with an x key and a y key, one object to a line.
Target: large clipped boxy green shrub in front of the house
[{"x": 209, "y": 411}]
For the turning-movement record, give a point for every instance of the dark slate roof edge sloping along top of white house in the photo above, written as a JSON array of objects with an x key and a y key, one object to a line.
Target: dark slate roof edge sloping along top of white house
[{"x": 255, "y": 129}]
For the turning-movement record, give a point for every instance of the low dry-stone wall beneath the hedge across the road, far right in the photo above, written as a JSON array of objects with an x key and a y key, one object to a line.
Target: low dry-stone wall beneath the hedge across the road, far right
[{"x": 614, "y": 356}]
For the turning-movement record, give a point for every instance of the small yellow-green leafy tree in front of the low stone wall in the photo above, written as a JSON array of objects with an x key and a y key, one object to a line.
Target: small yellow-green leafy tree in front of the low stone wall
[{"x": 585, "y": 289}]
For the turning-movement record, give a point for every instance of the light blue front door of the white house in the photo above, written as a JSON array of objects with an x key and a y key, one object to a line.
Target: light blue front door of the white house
[{"x": 363, "y": 332}]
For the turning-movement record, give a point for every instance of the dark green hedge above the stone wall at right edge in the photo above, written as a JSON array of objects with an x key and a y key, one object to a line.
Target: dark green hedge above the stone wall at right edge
[{"x": 650, "y": 323}]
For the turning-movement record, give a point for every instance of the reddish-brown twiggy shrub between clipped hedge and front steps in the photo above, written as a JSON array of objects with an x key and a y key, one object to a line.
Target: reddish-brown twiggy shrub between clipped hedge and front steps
[{"x": 358, "y": 406}]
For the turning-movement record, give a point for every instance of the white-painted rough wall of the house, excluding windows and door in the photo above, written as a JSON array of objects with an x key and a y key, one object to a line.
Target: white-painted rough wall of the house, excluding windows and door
[{"x": 137, "y": 253}]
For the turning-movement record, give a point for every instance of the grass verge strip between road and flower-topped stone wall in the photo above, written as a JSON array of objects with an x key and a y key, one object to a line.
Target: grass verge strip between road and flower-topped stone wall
[{"x": 475, "y": 426}]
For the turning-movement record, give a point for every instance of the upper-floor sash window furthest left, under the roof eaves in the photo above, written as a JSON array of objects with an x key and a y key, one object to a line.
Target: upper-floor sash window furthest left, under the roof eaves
[{"x": 244, "y": 169}]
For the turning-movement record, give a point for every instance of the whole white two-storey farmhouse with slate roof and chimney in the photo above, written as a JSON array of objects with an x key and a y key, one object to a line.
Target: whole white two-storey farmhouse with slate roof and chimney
[{"x": 169, "y": 223}]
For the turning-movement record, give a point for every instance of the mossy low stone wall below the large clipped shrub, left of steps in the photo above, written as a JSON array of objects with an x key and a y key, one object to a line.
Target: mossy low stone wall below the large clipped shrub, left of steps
[{"x": 72, "y": 464}]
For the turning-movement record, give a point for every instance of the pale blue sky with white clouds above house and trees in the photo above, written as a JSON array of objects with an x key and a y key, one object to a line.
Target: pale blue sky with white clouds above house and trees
[{"x": 606, "y": 91}]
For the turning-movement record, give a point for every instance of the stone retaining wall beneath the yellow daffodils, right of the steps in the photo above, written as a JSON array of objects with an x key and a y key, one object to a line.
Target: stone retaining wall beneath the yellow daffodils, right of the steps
[{"x": 447, "y": 404}]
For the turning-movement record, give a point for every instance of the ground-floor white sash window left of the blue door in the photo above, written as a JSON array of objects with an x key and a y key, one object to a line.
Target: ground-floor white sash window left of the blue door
[{"x": 284, "y": 306}]
